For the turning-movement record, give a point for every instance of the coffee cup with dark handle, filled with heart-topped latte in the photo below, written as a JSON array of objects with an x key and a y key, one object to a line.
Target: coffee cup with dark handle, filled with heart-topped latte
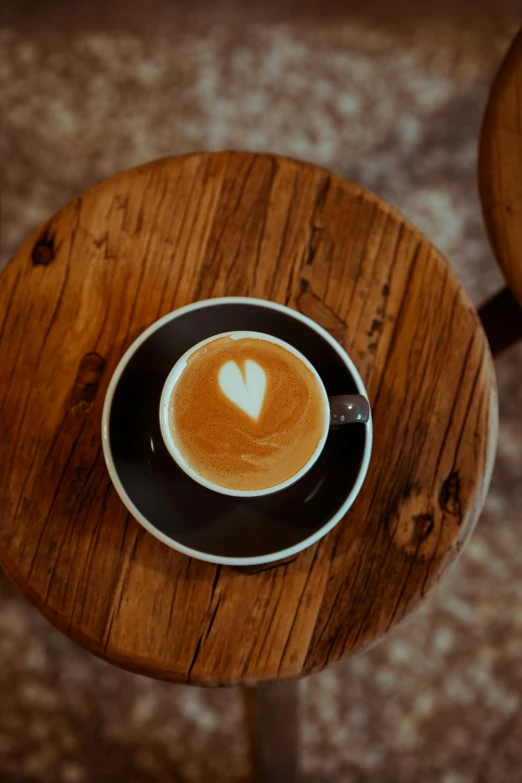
[{"x": 246, "y": 414}]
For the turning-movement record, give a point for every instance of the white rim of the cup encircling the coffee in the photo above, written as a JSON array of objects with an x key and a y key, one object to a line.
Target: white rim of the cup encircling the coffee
[{"x": 175, "y": 374}]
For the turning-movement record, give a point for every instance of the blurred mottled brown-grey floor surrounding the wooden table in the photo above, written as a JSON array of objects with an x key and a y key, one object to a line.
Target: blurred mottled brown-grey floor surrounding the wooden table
[{"x": 389, "y": 94}]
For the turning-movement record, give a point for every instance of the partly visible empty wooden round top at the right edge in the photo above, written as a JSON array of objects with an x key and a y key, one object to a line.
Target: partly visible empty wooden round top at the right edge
[{"x": 500, "y": 167}]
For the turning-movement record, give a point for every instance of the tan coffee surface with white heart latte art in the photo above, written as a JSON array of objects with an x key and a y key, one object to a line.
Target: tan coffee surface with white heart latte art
[{"x": 213, "y": 407}]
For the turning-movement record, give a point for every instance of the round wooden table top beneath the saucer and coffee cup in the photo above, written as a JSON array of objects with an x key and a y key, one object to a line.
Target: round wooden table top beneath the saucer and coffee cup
[{"x": 181, "y": 229}]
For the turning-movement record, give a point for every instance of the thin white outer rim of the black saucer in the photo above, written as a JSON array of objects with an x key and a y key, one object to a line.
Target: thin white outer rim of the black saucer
[{"x": 172, "y": 543}]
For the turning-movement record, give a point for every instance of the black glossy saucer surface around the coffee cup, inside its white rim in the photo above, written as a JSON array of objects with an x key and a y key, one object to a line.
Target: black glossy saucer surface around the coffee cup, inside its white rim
[{"x": 178, "y": 509}]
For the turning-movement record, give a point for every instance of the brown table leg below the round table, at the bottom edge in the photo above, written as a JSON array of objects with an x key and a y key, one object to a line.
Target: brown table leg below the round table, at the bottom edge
[{"x": 271, "y": 717}]
